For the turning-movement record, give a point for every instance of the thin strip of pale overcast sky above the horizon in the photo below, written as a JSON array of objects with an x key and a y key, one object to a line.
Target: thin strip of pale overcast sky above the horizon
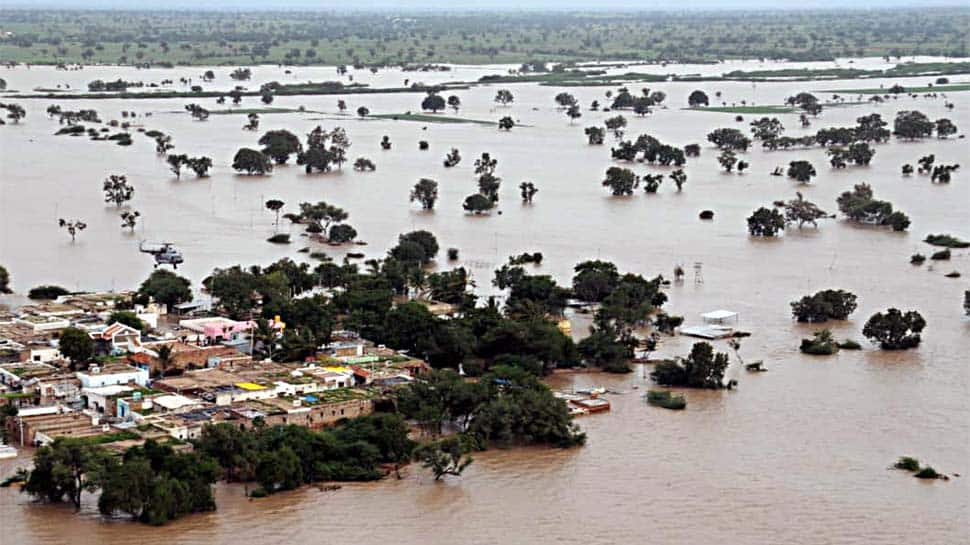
[{"x": 453, "y": 5}]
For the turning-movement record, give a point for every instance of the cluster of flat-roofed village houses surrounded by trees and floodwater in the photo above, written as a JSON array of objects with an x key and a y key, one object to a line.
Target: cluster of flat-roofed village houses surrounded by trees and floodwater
[{"x": 188, "y": 368}]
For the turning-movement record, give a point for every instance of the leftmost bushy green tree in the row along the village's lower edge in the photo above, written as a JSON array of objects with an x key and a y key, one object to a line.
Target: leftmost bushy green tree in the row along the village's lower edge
[{"x": 67, "y": 467}]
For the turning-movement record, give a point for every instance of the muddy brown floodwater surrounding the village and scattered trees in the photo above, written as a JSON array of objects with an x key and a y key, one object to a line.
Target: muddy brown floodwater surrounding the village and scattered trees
[{"x": 796, "y": 455}]
